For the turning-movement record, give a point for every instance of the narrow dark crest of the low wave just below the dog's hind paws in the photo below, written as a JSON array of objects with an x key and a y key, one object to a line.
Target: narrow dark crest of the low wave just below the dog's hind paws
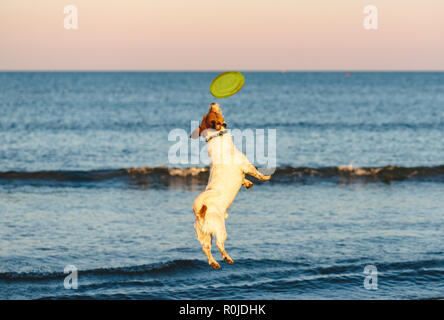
[{"x": 245, "y": 269}]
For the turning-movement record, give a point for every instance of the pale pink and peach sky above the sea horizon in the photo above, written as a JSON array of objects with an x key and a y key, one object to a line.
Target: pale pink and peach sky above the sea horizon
[{"x": 222, "y": 35}]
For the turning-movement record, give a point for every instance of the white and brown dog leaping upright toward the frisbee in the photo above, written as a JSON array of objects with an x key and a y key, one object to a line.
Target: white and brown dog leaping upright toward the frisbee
[{"x": 227, "y": 174}]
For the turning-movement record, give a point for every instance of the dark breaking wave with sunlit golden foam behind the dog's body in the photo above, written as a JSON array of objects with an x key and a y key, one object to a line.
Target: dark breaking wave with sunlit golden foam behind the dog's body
[{"x": 199, "y": 175}]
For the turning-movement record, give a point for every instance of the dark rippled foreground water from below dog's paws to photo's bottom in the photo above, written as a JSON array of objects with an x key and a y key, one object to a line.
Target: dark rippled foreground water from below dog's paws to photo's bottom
[{"x": 246, "y": 279}]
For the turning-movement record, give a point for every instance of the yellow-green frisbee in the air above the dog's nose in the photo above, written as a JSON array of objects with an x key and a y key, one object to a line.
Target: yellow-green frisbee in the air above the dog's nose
[{"x": 226, "y": 84}]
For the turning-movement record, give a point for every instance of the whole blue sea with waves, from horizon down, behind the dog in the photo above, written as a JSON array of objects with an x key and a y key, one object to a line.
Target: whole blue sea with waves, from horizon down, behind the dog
[{"x": 85, "y": 180}]
